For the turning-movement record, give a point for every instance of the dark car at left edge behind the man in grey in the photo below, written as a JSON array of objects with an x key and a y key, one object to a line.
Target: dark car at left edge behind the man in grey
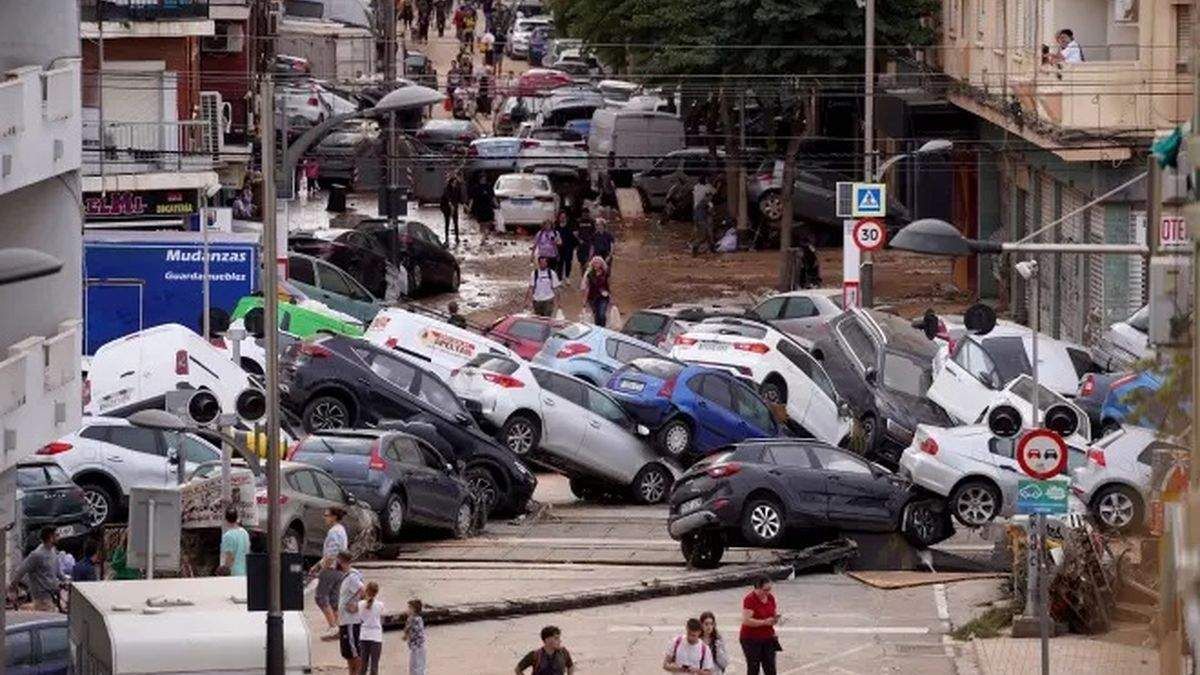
[{"x": 51, "y": 499}]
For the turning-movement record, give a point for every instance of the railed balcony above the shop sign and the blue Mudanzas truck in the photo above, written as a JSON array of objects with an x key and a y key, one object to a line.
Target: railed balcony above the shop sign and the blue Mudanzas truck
[{"x": 148, "y": 147}]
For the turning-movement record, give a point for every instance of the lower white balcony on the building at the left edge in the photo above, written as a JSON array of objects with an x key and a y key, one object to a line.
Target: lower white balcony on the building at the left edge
[{"x": 40, "y": 393}]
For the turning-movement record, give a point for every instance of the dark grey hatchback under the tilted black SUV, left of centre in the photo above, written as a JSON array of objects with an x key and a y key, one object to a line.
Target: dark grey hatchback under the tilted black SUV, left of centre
[{"x": 400, "y": 476}]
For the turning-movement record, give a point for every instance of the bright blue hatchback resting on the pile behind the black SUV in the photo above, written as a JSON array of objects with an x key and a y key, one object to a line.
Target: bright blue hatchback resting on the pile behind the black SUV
[{"x": 694, "y": 410}]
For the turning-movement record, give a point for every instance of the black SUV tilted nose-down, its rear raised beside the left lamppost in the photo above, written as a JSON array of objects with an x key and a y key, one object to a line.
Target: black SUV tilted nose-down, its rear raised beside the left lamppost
[{"x": 341, "y": 384}]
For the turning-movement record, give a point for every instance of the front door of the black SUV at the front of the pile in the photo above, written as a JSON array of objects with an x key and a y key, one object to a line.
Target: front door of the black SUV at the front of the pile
[{"x": 859, "y": 497}]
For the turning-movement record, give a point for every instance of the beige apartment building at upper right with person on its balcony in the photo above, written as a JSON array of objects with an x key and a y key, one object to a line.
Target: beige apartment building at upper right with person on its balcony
[{"x": 1054, "y": 136}]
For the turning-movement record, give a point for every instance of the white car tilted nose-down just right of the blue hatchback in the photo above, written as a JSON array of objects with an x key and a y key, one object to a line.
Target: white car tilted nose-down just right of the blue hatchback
[{"x": 779, "y": 366}]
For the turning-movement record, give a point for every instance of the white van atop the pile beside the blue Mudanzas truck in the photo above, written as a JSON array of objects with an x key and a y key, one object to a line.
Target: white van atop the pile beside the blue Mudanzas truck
[{"x": 137, "y": 371}]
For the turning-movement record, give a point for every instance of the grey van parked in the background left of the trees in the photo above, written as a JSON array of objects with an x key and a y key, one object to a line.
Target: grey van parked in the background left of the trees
[{"x": 637, "y": 139}]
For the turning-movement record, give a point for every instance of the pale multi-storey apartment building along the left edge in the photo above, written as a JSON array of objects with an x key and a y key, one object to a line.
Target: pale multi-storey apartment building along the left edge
[{"x": 40, "y": 210}]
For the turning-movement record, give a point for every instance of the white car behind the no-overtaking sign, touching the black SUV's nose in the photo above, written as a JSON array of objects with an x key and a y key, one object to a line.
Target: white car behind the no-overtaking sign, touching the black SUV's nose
[{"x": 974, "y": 469}]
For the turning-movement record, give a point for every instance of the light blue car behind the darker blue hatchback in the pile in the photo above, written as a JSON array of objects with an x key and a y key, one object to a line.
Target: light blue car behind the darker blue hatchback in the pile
[{"x": 592, "y": 354}]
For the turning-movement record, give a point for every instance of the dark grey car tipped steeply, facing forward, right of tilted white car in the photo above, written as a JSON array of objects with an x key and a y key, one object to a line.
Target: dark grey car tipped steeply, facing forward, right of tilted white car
[{"x": 883, "y": 368}]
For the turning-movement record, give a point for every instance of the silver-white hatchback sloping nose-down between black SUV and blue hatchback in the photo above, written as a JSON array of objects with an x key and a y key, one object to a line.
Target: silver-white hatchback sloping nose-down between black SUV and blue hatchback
[{"x": 566, "y": 423}]
